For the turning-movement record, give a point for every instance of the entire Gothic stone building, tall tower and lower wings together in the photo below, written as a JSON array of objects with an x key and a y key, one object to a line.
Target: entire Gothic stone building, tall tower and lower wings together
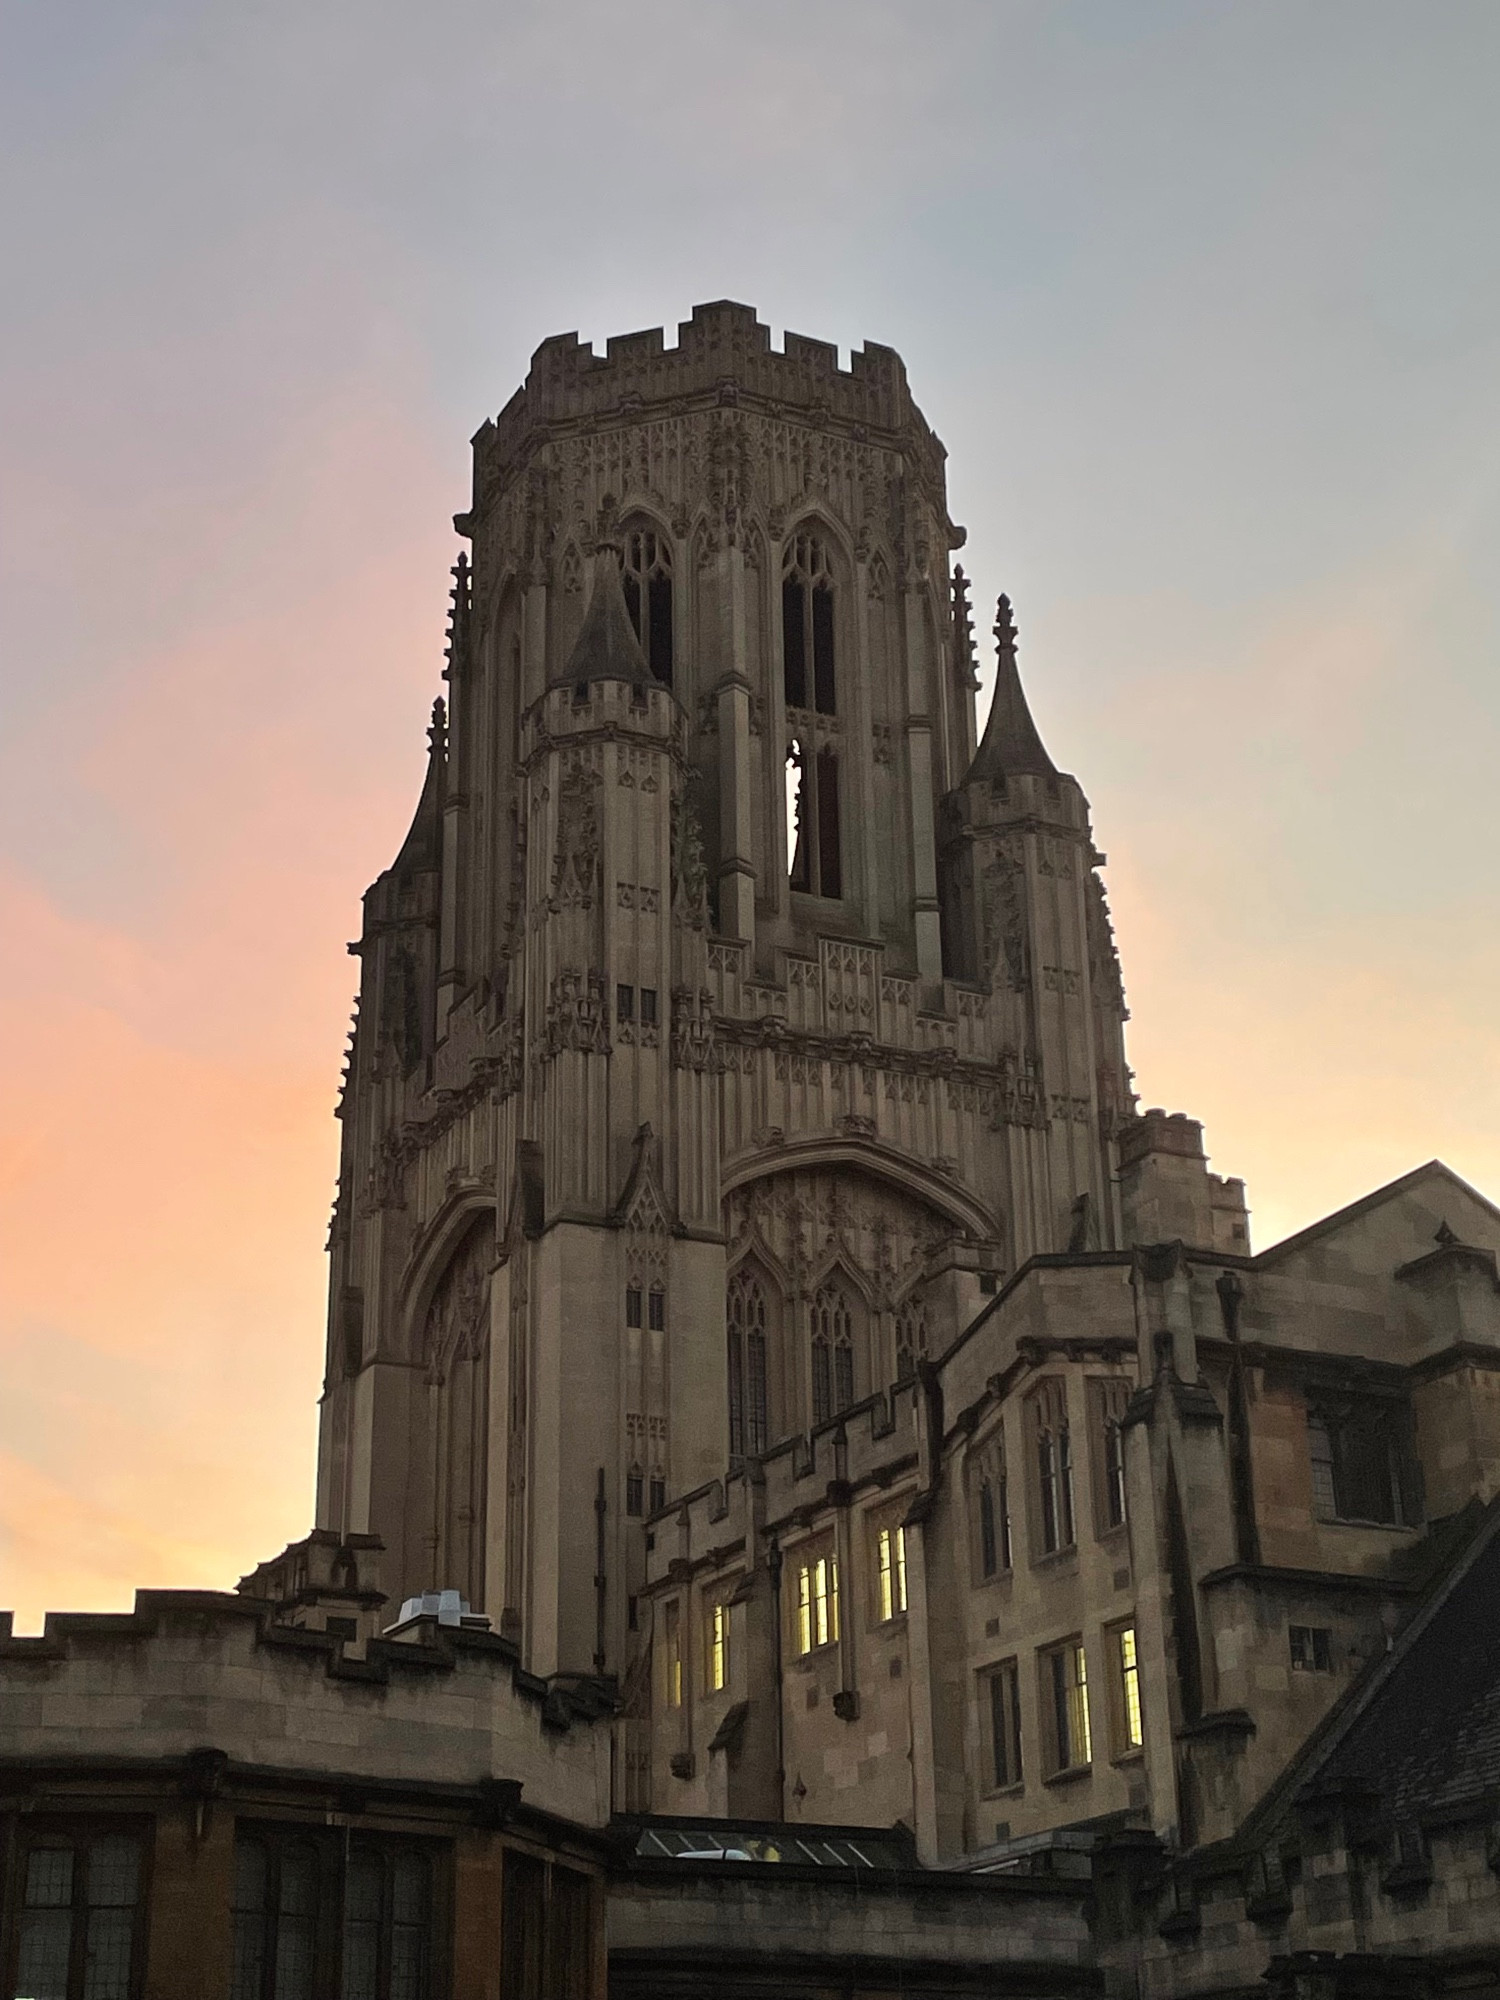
[{"x": 799, "y": 1389}]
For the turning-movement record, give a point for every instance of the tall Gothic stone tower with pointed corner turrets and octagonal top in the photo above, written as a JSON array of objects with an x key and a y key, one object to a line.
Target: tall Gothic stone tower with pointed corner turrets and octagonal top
[{"x": 729, "y": 1021}]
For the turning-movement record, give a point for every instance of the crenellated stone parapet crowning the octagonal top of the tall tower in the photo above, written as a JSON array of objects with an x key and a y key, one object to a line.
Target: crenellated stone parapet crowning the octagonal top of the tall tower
[{"x": 721, "y": 357}]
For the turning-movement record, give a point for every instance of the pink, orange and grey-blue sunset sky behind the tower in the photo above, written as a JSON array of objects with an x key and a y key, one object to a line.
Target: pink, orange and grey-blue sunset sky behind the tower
[{"x": 1205, "y": 303}]
